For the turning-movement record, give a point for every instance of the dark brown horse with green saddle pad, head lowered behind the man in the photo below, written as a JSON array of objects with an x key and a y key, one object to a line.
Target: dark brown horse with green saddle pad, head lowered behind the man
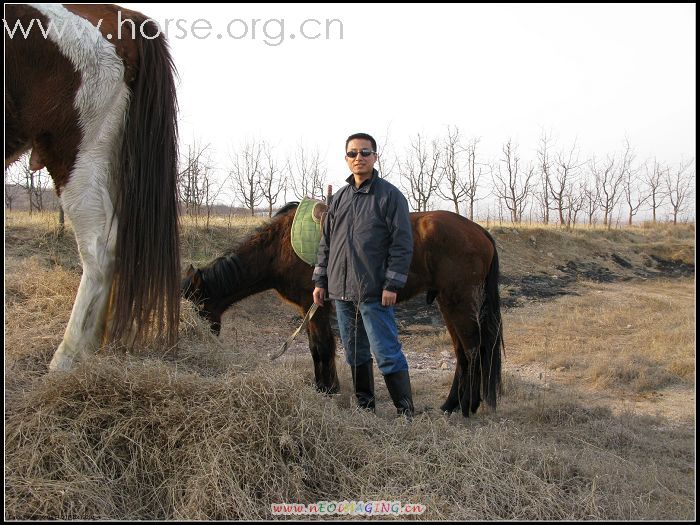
[{"x": 454, "y": 260}]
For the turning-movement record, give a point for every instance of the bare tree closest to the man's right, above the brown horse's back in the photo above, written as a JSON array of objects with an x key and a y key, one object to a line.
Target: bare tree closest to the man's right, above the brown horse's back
[{"x": 420, "y": 172}]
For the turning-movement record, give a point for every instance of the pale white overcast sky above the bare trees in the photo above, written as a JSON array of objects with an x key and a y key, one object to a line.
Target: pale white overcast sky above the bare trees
[{"x": 594, "y": 73}]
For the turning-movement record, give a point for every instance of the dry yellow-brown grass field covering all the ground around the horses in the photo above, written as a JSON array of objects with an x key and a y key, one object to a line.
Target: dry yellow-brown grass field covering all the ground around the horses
[{"x": 596, "y": 421}]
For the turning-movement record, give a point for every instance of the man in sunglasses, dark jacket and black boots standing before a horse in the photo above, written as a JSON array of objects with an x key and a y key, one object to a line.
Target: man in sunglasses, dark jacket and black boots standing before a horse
[{"x": 363, "y": 260}]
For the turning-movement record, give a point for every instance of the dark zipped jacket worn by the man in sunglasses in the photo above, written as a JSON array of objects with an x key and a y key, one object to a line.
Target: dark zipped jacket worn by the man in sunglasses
[{"x": 367, "y": 244}]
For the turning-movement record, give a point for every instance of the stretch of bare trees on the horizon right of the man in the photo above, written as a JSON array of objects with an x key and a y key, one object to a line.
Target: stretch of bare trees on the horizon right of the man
[{"x": 557, "y": 186}]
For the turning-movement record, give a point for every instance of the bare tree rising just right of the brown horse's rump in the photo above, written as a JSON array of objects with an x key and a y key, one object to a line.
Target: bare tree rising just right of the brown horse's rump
[{"x": 513, "y": 187}]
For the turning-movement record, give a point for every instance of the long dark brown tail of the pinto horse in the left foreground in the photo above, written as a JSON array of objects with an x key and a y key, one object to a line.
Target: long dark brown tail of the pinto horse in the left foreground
[{"x": 146, "y": 285}]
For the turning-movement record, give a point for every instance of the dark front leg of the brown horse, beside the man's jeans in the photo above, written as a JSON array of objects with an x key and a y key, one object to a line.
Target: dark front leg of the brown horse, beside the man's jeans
[{"x": 322, "y": 346}]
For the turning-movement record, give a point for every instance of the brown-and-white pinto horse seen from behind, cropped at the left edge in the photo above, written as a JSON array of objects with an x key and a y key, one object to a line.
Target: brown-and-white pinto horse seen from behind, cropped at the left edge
[{"x": 90, "y": 90}]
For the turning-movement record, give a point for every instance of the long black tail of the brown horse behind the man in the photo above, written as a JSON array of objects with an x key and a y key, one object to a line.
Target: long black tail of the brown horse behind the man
[{"x": 491, "y": 333}]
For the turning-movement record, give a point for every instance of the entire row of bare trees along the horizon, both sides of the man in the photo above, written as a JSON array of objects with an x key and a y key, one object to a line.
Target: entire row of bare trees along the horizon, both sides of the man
[{"x": 556, "y": 185}]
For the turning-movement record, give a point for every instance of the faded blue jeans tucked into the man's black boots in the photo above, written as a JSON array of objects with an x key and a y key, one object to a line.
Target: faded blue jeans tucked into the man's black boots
[{"x": 375, "y": 331}]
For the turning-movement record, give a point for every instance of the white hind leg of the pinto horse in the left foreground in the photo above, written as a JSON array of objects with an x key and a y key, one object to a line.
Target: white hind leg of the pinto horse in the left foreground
[{"x": 84, "y": 174}]
